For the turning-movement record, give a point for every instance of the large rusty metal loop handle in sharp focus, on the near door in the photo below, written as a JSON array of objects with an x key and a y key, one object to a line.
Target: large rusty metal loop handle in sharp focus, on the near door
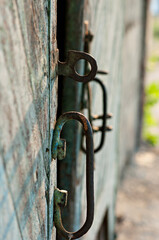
[{"x": 60, "y": 196}]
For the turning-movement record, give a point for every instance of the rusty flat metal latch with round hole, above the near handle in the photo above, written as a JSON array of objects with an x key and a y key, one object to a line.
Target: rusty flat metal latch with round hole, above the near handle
[{"x": 68, "y": 68}]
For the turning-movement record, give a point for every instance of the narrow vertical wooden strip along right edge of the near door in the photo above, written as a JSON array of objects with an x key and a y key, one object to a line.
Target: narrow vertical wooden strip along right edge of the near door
[{"x": 53, "y": 110}]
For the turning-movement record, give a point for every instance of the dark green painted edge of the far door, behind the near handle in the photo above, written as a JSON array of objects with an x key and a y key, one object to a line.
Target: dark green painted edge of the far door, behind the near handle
[{"x": 70, "y": 101}]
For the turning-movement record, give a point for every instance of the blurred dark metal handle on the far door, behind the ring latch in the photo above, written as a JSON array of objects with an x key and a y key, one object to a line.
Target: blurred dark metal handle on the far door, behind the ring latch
[{"x": 104, "y": 117}]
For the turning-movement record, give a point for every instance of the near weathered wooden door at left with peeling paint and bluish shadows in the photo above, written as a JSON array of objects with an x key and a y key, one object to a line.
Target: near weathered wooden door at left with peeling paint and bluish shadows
[{"x": 28, "y": 102}]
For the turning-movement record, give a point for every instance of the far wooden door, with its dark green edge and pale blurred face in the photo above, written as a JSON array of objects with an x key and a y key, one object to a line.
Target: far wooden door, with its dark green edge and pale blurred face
[{"x": 116, "y": 27}]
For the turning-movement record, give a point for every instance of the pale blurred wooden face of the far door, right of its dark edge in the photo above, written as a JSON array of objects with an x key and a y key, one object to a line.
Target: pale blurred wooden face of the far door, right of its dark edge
[{"x": 117, "y": 47}]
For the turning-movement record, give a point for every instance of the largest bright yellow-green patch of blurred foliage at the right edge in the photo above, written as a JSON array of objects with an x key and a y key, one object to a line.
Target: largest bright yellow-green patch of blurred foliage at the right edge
[{"x": 151, "y": 98}]
